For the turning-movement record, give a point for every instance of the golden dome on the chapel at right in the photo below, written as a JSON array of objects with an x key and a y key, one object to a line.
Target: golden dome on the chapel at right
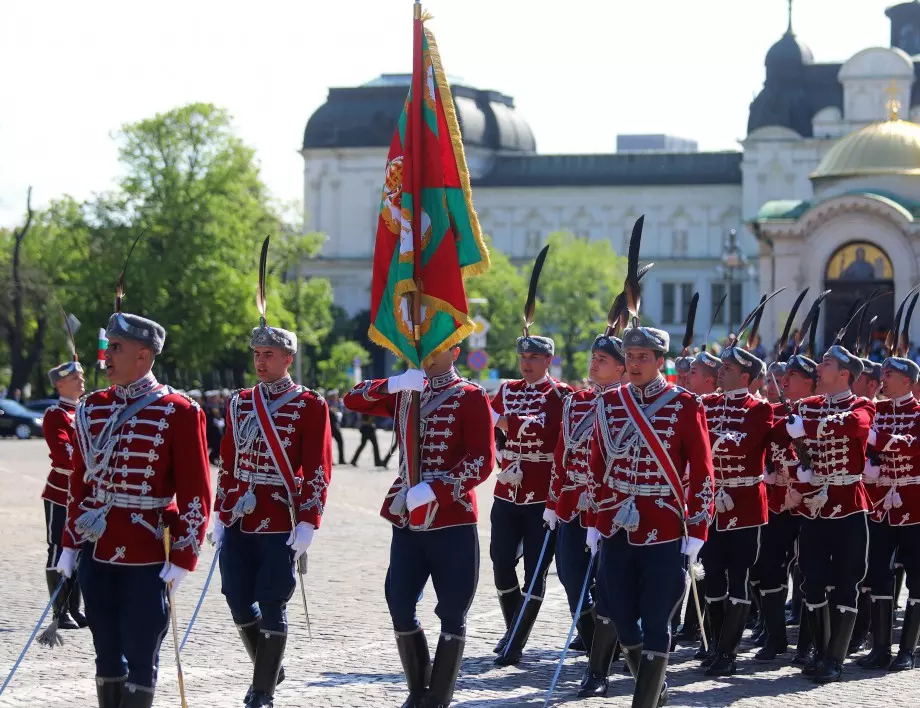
[{"x": 888, "y": 148}]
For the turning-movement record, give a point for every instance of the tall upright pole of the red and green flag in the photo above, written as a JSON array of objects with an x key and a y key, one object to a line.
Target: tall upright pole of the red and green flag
[{"x": 414, "y": 450}]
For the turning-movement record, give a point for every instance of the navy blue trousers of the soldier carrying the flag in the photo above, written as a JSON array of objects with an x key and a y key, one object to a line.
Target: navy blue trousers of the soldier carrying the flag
[{"x": 450, "y": 557}]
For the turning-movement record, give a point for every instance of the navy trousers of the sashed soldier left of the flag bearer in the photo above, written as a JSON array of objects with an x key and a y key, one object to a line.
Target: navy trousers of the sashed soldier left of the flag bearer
[{"x": 257, "y": 577}]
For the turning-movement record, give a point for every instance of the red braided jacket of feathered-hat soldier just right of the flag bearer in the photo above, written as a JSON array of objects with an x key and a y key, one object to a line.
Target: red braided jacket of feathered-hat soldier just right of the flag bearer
[{"x": 534, "y": 416}]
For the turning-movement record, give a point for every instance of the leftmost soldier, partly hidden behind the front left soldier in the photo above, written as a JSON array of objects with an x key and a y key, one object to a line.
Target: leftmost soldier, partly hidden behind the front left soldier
[{"x": 58, "y": 431}]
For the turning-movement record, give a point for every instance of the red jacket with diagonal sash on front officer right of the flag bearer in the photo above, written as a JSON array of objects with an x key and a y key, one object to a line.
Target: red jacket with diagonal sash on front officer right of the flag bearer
[{"x": 634, "y": 493}]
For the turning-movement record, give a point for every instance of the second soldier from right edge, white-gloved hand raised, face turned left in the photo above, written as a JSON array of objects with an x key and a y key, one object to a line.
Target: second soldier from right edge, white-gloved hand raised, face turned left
[{"x": 833, "y": 541}]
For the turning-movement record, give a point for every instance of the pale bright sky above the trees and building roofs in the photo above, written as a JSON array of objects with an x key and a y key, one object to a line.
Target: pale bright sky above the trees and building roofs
[{"x": 580, "y": 72}]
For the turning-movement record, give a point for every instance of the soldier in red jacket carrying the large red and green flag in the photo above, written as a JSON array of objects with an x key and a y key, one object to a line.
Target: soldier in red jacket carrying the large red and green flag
[{"x": 434, "y": 521}]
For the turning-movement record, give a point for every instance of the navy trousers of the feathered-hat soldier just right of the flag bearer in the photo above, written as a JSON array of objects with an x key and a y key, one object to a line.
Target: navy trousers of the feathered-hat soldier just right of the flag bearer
[{"x": 513, "y": 525}]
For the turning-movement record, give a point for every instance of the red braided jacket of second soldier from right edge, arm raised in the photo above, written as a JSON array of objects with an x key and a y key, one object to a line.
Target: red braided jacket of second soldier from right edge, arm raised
[{"x": 836, "y": 433}]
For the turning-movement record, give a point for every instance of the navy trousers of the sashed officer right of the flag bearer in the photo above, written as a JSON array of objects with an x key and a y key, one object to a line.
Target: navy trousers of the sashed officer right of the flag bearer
[{"x": 643, "y": 587}]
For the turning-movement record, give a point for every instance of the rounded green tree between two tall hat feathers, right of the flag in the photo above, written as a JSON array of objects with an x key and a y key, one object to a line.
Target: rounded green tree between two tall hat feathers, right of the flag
[{"x": 579, "y": 282}]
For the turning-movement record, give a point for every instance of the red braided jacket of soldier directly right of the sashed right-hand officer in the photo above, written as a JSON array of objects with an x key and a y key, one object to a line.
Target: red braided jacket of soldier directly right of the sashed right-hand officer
[{"x": 739, "y": 425}]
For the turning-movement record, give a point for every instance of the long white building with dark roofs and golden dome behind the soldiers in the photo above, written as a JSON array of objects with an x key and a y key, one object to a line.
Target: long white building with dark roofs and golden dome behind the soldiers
[{"x": 826, "y": 186}]
